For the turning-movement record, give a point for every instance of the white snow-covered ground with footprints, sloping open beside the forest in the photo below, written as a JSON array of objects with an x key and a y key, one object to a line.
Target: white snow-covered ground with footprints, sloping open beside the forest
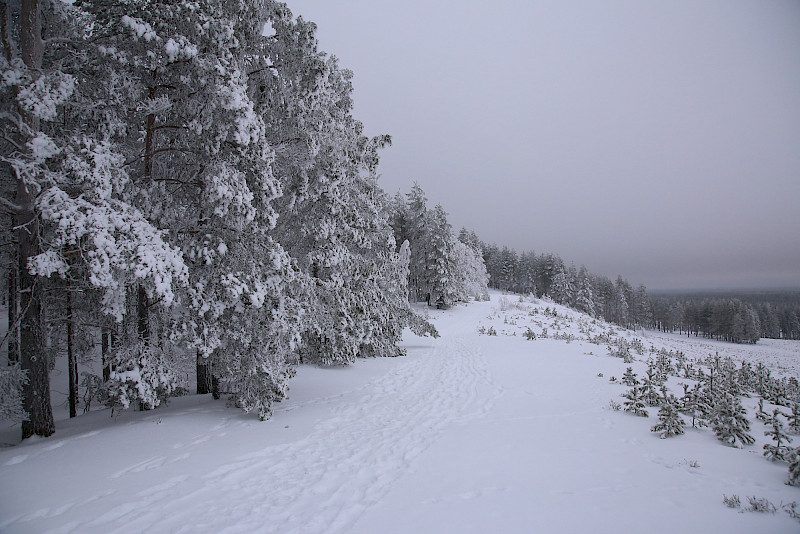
[{"x": 469, "y": 433}]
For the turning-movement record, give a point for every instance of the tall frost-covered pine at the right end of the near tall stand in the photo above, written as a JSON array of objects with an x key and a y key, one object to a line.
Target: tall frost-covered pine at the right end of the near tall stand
[{"x": 333, "y": 218}]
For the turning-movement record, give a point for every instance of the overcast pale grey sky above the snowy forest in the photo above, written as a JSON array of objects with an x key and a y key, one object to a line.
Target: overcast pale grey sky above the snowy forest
[{"x": 657, "y": 140}]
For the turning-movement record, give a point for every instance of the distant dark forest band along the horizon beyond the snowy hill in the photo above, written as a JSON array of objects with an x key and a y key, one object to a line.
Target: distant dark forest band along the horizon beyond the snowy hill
[{"x": 739, "y": 317}]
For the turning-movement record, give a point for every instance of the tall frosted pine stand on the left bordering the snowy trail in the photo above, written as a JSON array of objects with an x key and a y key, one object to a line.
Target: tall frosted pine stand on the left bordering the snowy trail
[{"x": 185, "y": 193}]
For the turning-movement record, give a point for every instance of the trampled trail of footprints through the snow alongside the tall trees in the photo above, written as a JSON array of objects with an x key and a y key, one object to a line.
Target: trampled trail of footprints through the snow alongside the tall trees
[{"x": 324, "y": 482}]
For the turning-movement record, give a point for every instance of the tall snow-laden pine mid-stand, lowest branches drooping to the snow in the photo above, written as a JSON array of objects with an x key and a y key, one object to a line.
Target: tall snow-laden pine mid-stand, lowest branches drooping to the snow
[{"x": 204, "y": 170}]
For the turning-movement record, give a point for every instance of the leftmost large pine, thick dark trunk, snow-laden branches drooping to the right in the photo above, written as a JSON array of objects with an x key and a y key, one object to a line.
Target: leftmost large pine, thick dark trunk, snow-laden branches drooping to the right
[{"x": 85, "y": 195}]
